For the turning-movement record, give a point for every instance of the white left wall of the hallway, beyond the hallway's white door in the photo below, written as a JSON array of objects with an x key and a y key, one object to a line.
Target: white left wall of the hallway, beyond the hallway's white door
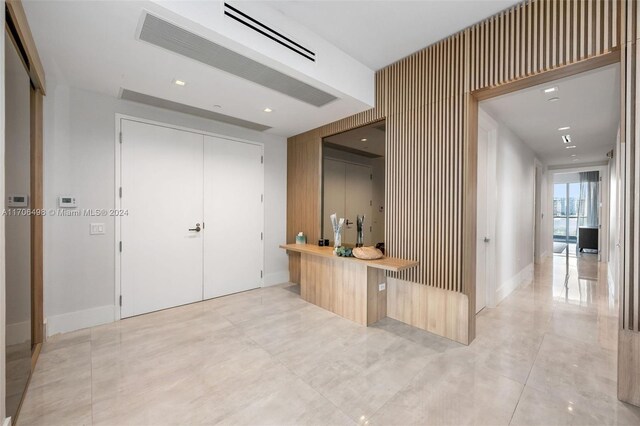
[{"x": 514, "y": 212}]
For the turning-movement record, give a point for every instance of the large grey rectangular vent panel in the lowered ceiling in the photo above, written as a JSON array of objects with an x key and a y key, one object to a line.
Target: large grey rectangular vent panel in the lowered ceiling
[{"x": 178, "y": 40}]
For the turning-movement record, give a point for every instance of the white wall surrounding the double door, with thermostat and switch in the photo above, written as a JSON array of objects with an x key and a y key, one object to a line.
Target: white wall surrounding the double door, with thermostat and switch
[{"x": 79, "y": 159}]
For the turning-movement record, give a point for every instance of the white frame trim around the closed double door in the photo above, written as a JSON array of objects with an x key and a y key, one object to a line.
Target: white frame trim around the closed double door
[{"x": 118, "y": 182}]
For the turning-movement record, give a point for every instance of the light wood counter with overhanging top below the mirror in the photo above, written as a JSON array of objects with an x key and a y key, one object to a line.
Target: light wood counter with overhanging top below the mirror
[{"x": 352, "y": 288}]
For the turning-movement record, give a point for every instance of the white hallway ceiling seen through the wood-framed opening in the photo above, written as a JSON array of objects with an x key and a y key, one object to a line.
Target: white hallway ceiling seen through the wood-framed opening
[{"x": 589, "y": 103}]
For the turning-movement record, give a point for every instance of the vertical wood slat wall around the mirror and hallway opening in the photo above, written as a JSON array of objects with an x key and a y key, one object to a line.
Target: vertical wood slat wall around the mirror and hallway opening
[{"x": 429, "y": 101}]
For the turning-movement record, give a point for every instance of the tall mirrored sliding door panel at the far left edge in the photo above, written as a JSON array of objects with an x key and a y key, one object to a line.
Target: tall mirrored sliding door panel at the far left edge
[{"x": 17, "y": 227}]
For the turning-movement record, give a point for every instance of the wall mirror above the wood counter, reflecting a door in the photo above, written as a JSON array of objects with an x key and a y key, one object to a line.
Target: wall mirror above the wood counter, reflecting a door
[{"x": 353, "y": 185}]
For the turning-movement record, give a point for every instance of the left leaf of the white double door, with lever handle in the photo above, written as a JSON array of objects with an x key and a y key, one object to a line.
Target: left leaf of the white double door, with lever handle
[{"x": 162, "y": 191}]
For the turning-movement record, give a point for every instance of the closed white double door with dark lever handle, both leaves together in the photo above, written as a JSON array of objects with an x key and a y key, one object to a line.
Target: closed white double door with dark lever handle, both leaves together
[{"x": 195, "y": 217}]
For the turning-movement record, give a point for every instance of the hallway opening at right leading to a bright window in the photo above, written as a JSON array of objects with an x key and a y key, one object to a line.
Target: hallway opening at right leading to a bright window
[{"x": 546, "y": 182}]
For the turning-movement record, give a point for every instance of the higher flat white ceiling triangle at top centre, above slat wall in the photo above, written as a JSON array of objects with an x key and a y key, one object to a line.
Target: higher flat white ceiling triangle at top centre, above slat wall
[{"x": 378, "y": 33}]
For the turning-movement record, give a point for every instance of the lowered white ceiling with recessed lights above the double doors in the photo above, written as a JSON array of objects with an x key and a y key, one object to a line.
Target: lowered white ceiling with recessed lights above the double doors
[{"x": 92, "y": 45}]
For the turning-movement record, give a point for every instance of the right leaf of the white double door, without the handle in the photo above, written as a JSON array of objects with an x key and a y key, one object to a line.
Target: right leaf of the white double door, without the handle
[{"x": 233, "y": 216}]
